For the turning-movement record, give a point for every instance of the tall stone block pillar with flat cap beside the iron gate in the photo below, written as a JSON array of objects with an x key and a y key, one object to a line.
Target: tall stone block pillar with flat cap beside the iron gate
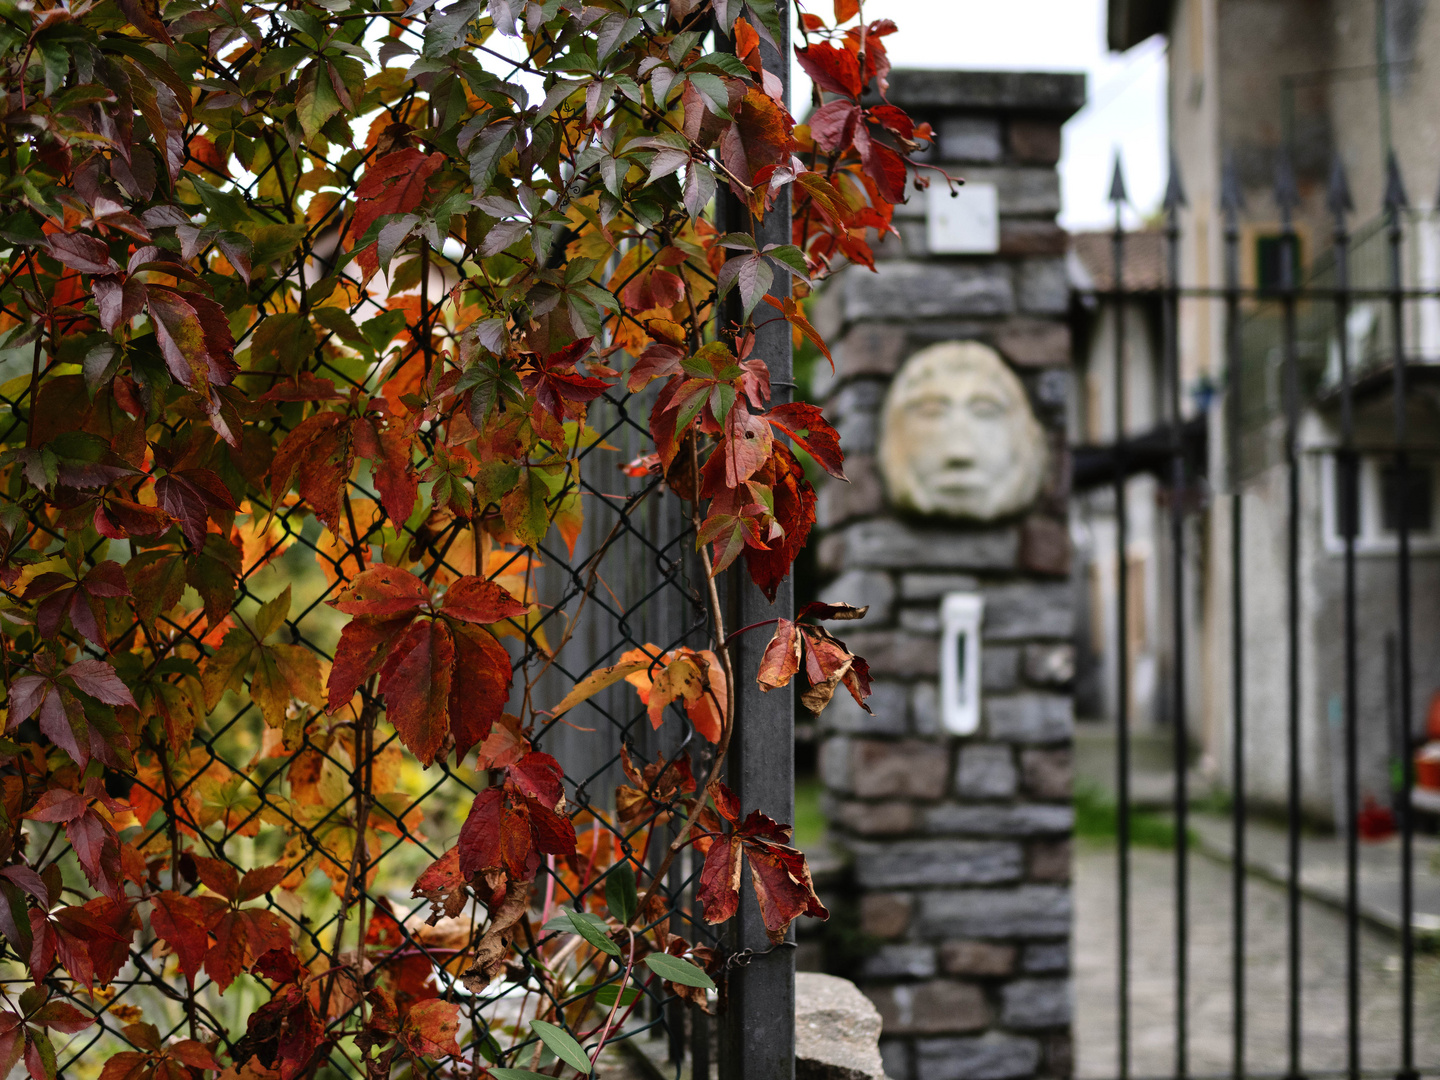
[{"x": 960, "y": 846}]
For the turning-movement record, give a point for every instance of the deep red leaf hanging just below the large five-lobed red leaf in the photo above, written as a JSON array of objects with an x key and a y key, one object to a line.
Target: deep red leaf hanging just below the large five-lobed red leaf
[{"x": 508, "y": 830}]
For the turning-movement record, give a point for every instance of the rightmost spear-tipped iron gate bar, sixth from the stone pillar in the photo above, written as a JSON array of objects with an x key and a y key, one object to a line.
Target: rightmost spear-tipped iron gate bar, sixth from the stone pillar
[{"x": 1396, "y": 202}]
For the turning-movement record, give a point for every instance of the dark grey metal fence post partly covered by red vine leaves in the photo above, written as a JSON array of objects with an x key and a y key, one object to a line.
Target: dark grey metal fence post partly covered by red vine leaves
[{"x": 758, "y": 1025}]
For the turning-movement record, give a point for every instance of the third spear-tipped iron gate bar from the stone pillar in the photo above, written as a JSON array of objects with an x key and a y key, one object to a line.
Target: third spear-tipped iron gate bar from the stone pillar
[{"x": 1232, "y": 202}]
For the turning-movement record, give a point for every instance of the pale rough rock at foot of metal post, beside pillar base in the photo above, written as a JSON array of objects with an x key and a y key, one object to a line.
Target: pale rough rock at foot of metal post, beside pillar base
[{"x": 837, "y": 1032}]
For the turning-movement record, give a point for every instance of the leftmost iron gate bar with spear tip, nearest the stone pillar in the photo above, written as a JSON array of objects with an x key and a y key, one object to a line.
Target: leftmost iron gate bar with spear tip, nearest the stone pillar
[{"x": 1122, "y": 693}]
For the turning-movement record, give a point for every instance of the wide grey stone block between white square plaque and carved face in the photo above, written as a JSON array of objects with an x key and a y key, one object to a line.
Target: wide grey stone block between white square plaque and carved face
[{"x": 927, "y": 290}]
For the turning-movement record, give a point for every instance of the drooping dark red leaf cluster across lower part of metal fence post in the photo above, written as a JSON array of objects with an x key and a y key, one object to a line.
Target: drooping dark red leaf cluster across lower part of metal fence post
[{"x": 778, "y": 872}]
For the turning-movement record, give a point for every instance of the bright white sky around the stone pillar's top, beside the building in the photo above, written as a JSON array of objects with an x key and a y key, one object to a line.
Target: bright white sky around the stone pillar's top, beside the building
[{"x": 1125, "y": 91}]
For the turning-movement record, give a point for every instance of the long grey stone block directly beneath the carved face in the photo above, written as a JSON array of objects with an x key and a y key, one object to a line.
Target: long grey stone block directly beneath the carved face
[{"x": 891, "y": 545}]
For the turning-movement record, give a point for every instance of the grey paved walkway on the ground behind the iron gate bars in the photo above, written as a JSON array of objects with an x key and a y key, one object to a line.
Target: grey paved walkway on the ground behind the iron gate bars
[{"x": 1153, "y": 981}]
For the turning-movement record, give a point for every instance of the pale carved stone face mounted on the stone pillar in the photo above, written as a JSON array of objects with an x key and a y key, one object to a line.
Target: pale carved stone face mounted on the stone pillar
[{"x": 958, "y": 437}]
